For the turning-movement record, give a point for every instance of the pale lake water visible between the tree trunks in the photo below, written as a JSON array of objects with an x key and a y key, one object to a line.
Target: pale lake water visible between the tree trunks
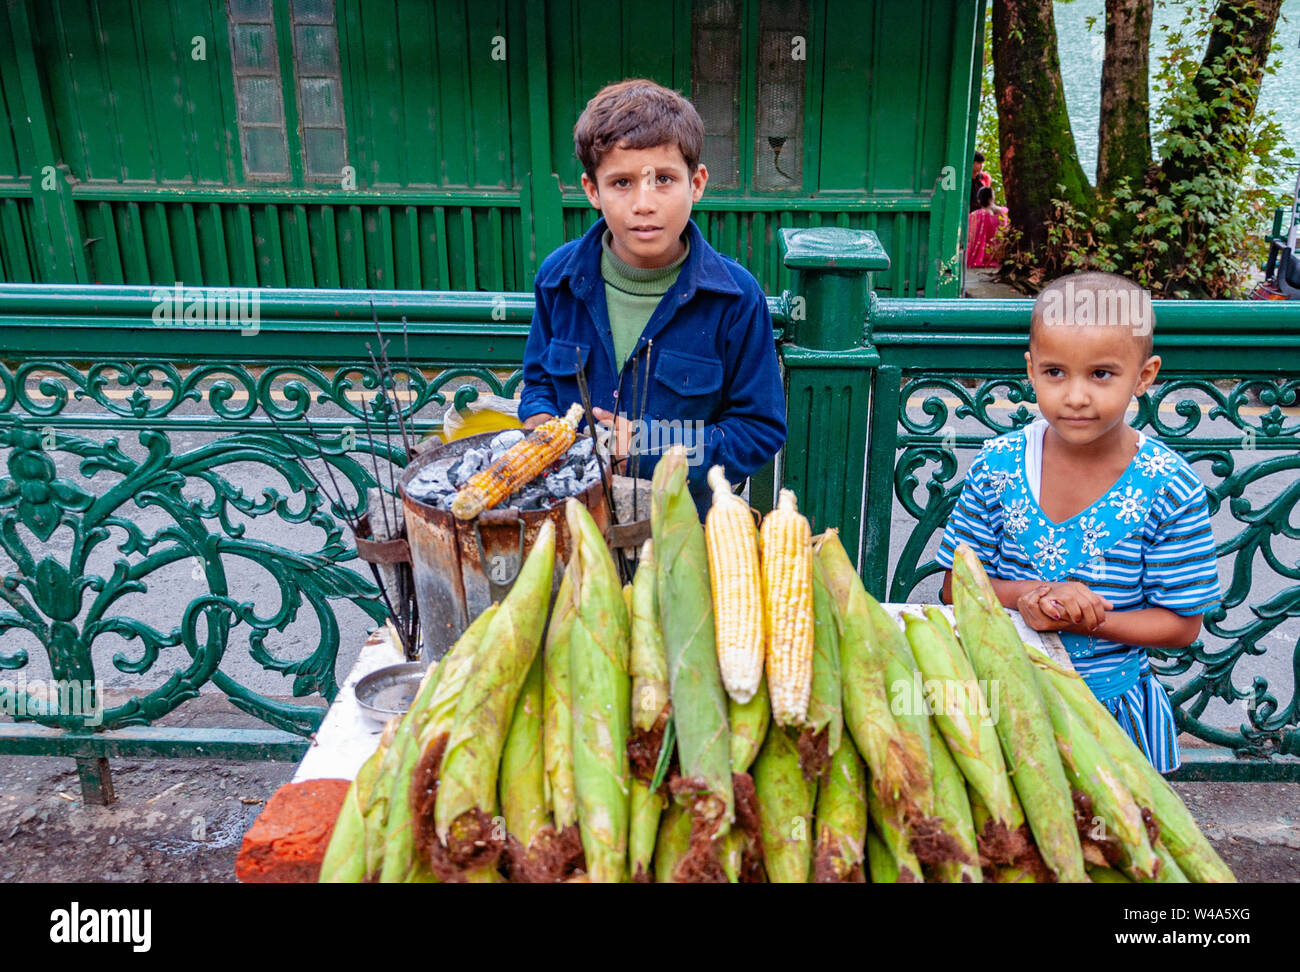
[{"x": 1082, "y": 51}]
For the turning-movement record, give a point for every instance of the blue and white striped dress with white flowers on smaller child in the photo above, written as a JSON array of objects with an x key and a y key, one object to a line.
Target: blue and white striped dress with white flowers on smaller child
[{"x": 1147, "y": 543}]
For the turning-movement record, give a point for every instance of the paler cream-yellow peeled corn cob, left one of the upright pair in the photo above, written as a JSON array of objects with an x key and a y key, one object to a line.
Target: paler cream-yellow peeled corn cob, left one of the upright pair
[{"x": 736, "y": 582}]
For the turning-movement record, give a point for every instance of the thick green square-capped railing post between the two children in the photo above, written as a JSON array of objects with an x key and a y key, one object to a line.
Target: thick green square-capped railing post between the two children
[{"x": 829, "y": 364}]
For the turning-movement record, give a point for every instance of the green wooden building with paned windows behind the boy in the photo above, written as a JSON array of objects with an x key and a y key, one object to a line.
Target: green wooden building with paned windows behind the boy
[{"x": 427, "y": 145}]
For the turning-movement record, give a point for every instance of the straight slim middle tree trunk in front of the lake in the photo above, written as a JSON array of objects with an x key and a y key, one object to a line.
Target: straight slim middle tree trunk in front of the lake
[{"x": 1124, "y": 133}]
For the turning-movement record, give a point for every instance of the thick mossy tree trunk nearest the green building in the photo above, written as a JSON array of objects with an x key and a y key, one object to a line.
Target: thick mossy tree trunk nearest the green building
[{"x": 1038, "y": 153}]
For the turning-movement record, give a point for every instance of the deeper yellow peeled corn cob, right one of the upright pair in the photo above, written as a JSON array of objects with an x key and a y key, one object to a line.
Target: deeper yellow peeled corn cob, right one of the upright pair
[{"x": 787, "y": 543}]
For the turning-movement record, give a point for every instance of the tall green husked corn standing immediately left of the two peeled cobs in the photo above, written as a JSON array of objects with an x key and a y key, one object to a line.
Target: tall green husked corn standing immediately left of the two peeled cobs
[{"x": 687, "y": 627}]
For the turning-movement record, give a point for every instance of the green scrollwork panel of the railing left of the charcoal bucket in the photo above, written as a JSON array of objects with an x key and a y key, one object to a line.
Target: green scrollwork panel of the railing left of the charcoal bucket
[{"x": 132, "y": 513}]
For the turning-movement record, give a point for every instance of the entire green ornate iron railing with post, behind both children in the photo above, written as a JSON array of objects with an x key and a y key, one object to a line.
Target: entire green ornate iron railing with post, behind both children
[{"x": 135, "y": 449}]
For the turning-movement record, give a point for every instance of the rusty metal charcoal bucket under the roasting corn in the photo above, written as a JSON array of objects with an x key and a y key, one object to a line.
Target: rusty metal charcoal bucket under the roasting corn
[{"x": 463, "y": 566}]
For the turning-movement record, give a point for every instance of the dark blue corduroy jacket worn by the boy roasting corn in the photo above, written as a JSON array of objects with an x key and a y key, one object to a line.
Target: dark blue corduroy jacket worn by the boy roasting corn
[{"x": 714, "y": 385}]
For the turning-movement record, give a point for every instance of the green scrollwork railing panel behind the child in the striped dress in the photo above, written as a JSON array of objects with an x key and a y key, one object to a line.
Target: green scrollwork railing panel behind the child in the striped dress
[{"x": 1242, "y": 437}]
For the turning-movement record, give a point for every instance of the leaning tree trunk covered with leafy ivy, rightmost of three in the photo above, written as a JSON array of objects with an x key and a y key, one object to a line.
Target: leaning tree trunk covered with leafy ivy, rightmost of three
[{"x": 1234, "y": 60}]
